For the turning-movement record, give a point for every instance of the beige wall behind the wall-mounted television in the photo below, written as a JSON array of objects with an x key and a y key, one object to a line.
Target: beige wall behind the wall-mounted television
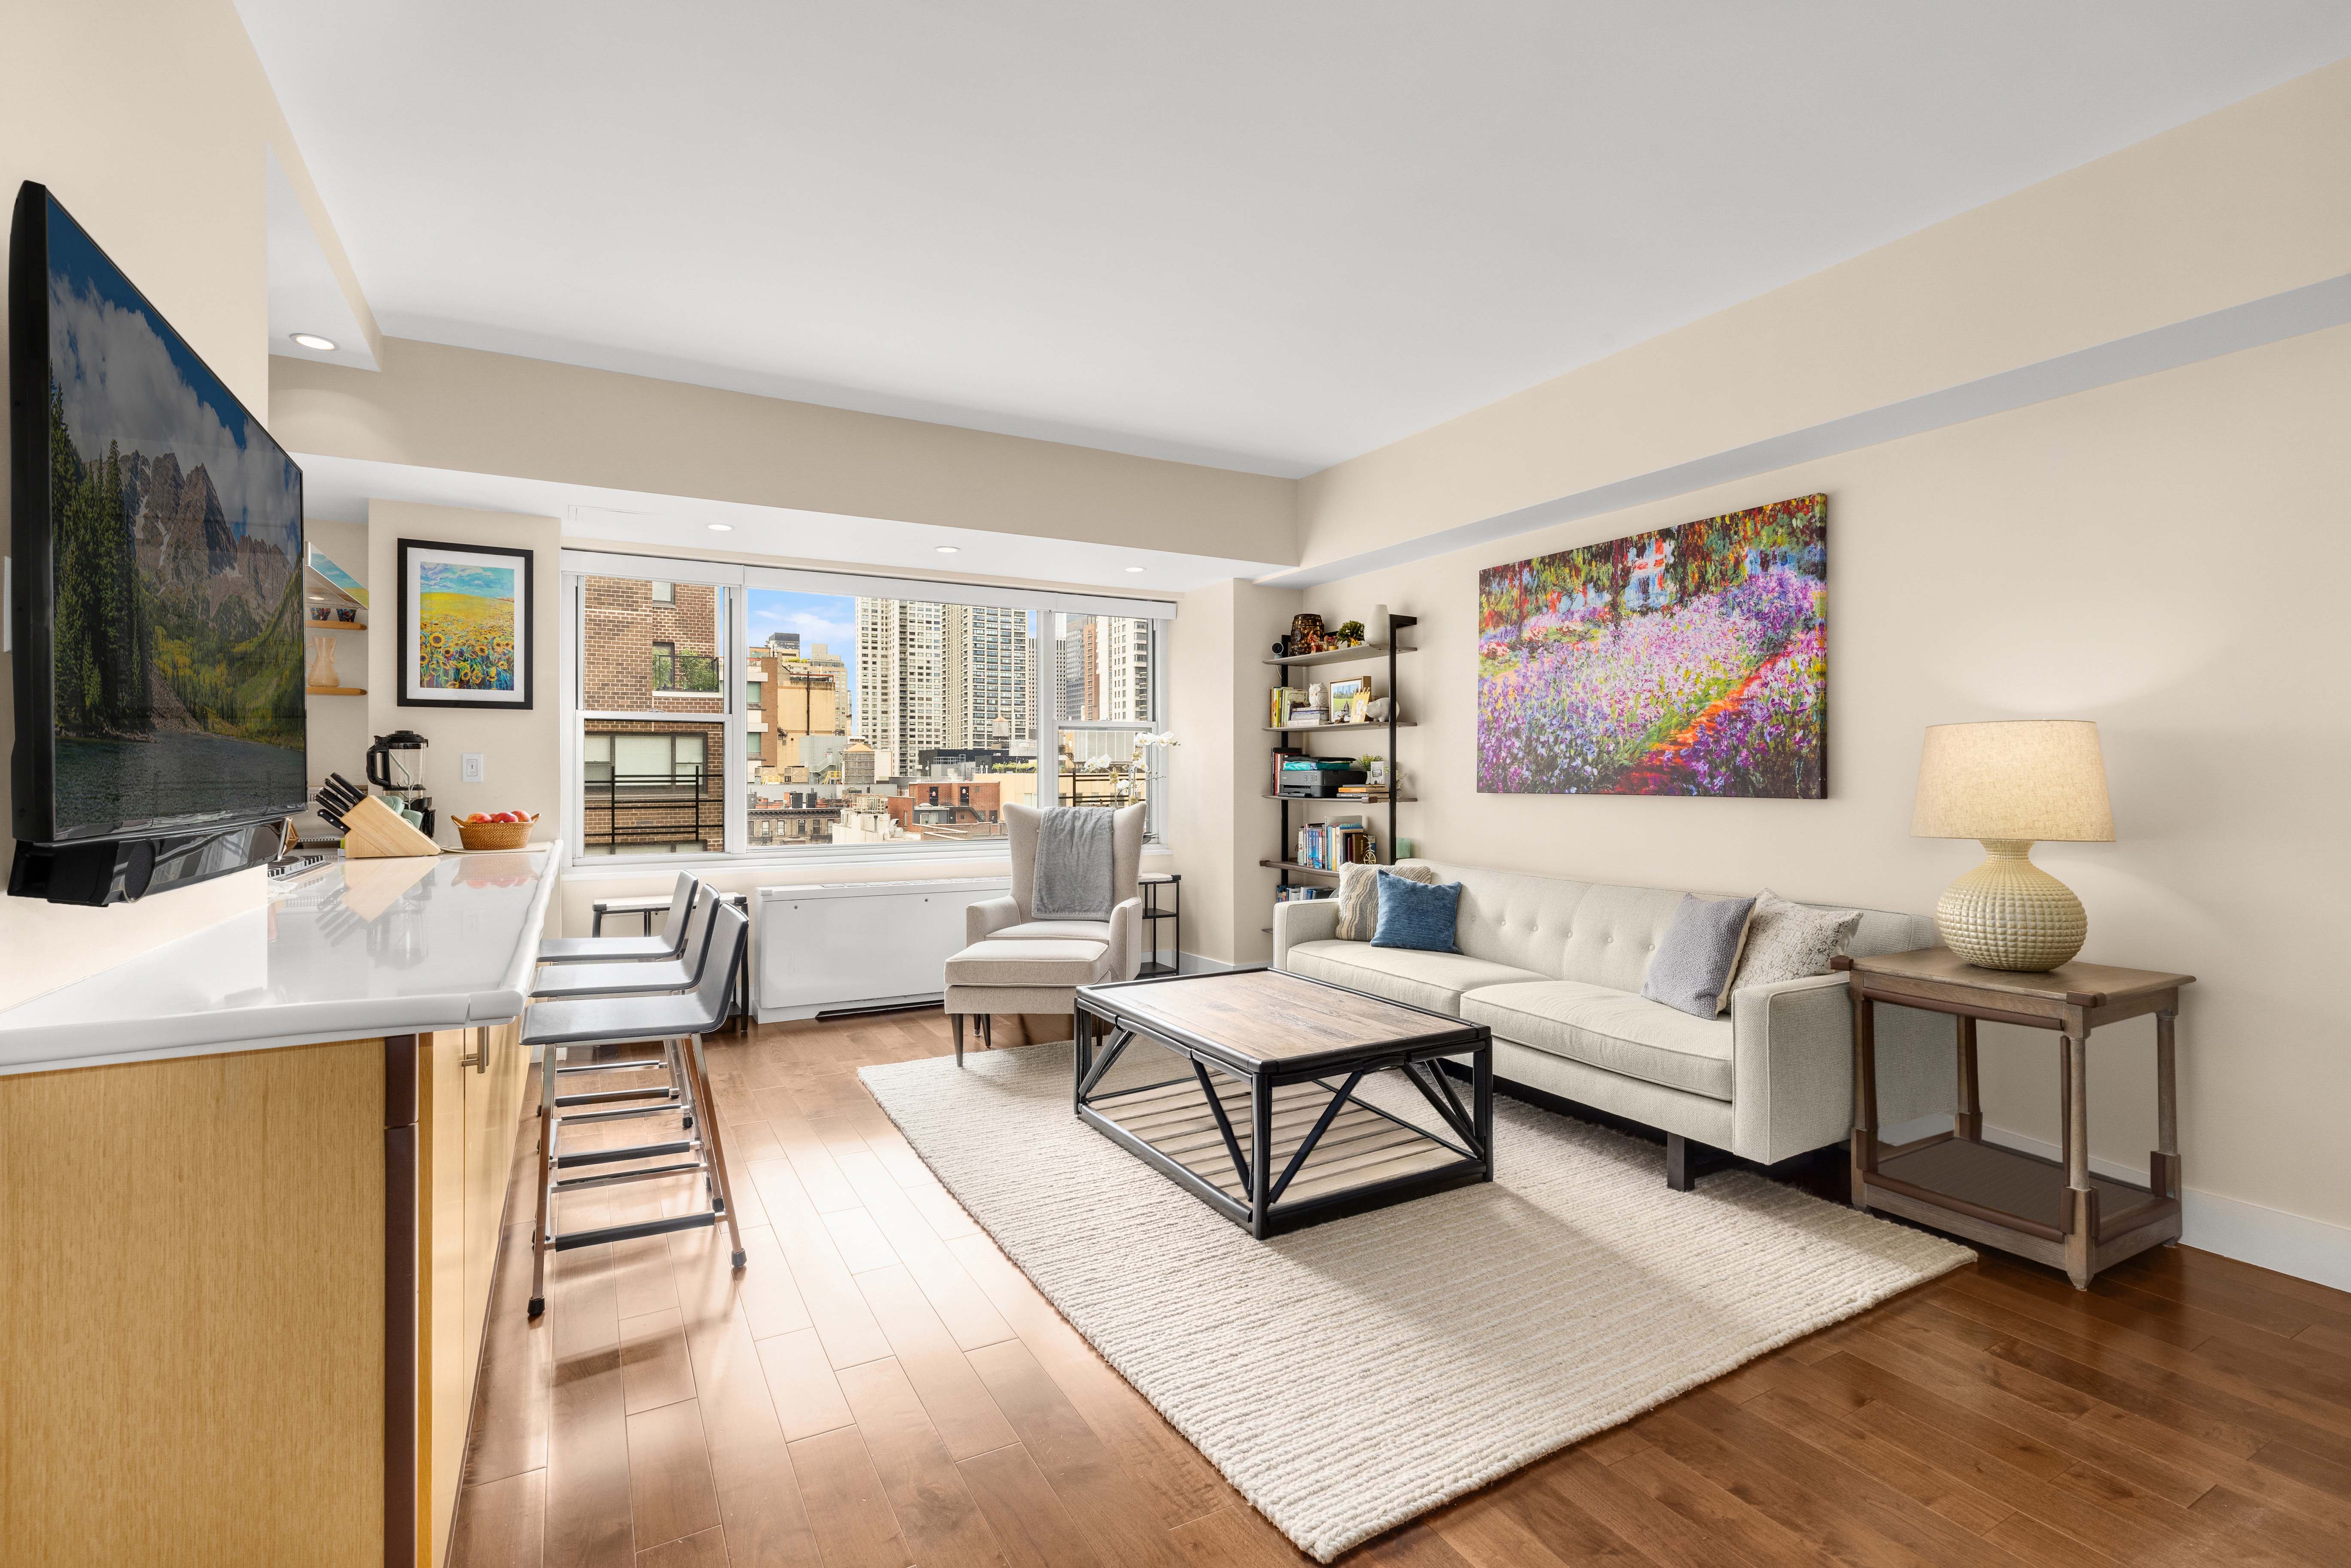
[{"x": 149, "y": 123}]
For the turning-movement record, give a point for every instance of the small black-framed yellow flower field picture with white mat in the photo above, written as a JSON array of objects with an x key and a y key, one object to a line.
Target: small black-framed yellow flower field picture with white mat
[{"x": 464, "y": 626}]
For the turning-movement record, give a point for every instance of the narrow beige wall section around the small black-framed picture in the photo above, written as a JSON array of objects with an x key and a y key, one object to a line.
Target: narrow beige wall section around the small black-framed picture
[{"x": 521, "y": 751}]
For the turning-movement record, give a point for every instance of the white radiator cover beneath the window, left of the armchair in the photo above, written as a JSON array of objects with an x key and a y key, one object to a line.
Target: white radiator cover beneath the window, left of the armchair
[{"x": 862, "y": 944}]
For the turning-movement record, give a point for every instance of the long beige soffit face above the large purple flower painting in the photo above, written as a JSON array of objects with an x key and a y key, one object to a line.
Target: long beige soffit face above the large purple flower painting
[{"x": 2232, "y": 208}]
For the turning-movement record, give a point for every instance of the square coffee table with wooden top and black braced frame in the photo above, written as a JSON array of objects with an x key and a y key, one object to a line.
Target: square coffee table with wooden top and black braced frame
[{"x": 1275, "y": 1064}]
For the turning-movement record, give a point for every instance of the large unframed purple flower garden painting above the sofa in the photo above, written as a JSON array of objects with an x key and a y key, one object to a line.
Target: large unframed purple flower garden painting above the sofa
[{"x": 1687, "y": 662}]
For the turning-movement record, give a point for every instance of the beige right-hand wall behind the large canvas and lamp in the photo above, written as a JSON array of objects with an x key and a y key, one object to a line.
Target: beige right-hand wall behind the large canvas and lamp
[{"x": 2169, "y": 558}]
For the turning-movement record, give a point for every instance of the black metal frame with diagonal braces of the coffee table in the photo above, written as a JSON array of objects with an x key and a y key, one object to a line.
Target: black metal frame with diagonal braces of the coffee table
[{"x": 1266, "y": 1217}]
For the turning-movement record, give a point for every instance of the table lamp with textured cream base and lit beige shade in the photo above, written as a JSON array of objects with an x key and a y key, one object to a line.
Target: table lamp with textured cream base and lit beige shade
[{"x": 2014, "y": 784}]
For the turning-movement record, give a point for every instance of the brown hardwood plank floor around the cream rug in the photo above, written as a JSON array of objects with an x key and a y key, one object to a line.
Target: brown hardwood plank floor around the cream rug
[{"x": 883, "y": 1388}]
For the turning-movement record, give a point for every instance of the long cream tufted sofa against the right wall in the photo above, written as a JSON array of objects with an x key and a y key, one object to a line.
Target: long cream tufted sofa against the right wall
[{"x": 1555, "y": 970}]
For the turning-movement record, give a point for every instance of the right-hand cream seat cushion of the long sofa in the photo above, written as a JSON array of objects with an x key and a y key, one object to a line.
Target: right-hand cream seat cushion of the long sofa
[{"x": 1609, "y": 1028}]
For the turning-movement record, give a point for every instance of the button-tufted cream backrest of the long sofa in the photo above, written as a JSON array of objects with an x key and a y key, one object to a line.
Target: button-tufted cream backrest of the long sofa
[{"x": 1605, "y": 934}]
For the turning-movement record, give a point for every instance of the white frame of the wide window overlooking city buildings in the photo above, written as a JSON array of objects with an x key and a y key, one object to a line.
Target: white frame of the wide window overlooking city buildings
[{"x": 735, "y": 584}]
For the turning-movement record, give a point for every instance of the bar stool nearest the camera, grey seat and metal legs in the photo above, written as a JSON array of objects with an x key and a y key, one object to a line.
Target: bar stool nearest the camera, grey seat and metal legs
[{"x": 678, "y": 1021}]
